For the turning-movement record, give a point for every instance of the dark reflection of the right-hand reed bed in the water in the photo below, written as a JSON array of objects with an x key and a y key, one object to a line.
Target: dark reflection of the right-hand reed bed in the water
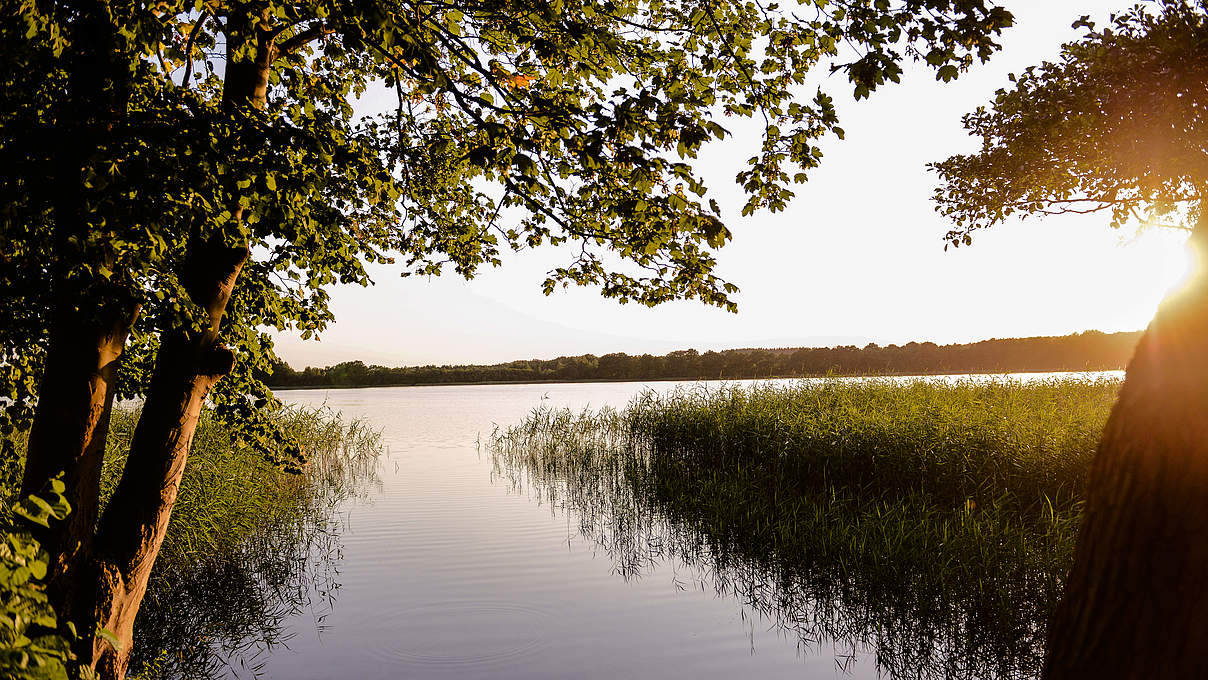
[{"x": 856, "y": 576}]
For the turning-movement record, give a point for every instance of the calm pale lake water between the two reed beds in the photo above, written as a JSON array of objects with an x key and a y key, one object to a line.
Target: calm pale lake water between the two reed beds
[{"x": 446, "y": 572}]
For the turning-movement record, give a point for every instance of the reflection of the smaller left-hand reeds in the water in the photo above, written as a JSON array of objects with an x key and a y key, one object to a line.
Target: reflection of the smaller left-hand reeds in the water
[{"x": 224, "y": 617}]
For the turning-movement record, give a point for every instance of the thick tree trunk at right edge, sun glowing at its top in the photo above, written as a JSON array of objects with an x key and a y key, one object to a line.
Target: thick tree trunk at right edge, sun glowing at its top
[{"x": 1137, "y": 596}]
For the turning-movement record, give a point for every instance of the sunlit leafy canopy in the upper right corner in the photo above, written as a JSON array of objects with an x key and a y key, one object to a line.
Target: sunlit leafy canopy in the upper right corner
[{"x": 1116, "y": 125}]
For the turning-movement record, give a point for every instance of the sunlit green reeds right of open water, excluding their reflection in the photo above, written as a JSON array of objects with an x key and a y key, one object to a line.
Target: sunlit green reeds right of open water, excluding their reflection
[{"x": 971, "y": 441}]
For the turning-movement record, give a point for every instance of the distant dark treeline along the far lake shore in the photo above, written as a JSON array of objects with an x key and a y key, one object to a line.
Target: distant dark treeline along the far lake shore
[{"x": 1093, "y": 351}]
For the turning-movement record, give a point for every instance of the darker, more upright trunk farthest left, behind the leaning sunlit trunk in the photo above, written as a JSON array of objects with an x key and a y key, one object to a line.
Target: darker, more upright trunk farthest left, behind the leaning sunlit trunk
[{"x": 90, "y": 317}]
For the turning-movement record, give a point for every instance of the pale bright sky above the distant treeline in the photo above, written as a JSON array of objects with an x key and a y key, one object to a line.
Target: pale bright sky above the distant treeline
[{"x": 857, "y": 258}]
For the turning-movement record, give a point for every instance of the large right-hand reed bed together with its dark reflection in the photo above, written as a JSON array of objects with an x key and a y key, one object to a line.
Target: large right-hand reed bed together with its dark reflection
[{"x": 930, "y": 522}]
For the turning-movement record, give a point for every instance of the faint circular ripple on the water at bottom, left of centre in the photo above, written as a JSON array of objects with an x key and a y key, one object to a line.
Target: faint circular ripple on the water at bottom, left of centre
[{"x": 433, "y": 636}]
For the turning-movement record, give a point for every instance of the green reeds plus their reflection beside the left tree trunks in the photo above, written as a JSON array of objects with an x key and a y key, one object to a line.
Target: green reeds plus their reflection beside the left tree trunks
[{"x": 255, "y": 548}]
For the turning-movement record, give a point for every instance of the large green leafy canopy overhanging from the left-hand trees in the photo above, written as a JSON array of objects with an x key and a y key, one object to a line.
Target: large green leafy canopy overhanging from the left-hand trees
[{"x": 516, "y": 124}]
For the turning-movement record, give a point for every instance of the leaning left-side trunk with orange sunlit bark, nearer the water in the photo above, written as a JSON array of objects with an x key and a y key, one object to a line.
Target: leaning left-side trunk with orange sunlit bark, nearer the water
[{"x": 189, "y": 364}]
